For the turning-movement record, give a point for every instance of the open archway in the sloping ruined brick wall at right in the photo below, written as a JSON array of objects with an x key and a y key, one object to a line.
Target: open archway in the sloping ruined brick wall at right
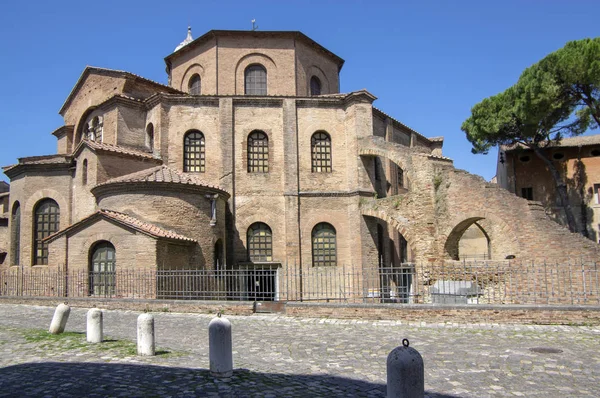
[{"x": 468, "y": 241}]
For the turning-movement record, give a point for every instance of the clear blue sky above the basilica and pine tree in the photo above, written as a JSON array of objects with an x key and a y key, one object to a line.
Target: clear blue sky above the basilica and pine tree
[{"x": 428, "y": 62}]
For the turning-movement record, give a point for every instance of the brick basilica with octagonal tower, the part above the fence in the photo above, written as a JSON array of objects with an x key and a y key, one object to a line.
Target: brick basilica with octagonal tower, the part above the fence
[{"x": 251, "y": 155}]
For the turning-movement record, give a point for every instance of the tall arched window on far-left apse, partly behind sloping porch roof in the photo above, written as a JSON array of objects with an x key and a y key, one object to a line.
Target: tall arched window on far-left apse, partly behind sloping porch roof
[{"x": 47, "y": 222}]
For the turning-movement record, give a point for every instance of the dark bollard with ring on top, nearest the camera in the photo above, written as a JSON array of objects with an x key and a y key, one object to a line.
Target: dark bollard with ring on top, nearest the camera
[{"x": 405, "y": 373}]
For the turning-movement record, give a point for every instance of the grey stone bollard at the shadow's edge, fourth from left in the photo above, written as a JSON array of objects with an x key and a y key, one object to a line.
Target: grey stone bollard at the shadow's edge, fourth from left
[{"x": 220, "y": 347}]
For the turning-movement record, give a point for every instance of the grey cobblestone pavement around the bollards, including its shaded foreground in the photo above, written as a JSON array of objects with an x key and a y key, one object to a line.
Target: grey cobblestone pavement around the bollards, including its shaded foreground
[{"x": 278, "y": 356}]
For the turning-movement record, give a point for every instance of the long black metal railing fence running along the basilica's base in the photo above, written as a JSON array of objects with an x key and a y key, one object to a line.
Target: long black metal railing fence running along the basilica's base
[{"x": 476, "y": 282}]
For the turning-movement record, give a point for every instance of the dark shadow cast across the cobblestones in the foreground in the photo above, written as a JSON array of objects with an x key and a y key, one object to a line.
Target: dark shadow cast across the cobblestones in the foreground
[{"x": 59, "y": 379}]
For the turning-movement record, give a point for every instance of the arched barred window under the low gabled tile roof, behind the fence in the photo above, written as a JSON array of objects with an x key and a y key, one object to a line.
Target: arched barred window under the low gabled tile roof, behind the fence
[{"x": 102, "y": 269}]
